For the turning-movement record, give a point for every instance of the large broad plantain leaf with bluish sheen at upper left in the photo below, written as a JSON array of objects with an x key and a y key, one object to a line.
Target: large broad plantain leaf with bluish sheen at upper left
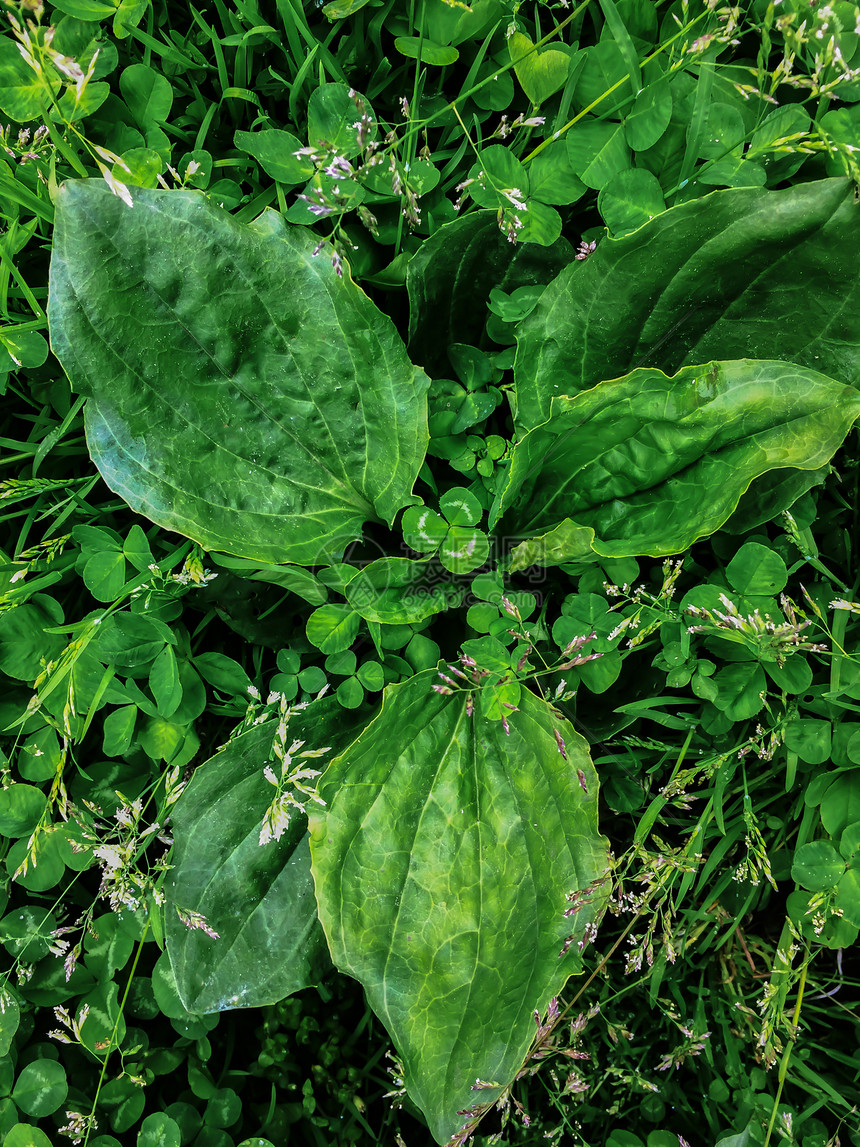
[{"x": 314, "y": 418}]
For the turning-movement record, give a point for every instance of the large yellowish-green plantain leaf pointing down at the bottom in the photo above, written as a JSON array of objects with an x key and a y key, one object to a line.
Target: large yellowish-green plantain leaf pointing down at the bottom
[{"x": 442, "y": 862}]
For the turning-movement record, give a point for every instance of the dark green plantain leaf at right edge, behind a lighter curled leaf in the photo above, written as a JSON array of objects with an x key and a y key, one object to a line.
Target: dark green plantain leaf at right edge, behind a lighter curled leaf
[{"x": 713, "y": 279}]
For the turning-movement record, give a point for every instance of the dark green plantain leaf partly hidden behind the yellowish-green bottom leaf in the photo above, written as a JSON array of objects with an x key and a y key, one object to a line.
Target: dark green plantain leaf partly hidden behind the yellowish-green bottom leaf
[{"x": 259, "y": 899}]
